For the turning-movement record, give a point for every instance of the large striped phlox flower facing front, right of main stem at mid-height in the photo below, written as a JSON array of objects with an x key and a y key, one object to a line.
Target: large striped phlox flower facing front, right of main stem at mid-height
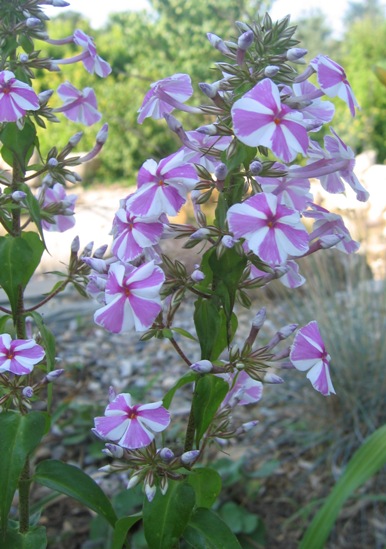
[{"x": 271, "y": 230}]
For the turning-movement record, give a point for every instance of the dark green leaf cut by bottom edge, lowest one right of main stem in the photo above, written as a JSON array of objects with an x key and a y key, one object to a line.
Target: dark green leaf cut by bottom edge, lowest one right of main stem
[{"x": 214, "y": 530}]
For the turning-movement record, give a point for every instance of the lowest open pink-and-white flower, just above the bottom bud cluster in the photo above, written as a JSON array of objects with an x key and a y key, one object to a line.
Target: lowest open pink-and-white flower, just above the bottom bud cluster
[{"x": 130, "y": 425}]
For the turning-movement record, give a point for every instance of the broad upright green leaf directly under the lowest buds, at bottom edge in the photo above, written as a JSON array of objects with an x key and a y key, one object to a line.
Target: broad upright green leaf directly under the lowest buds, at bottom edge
[{"x": 166, "y": 517}]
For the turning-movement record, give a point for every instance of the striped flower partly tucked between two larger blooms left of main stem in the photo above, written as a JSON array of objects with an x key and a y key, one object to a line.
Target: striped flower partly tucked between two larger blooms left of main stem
[{"x": 132, "y": 234}]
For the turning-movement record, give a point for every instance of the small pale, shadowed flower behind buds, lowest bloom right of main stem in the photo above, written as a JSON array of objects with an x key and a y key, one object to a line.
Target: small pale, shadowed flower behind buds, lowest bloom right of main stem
[{"x": 243, "y": 389}]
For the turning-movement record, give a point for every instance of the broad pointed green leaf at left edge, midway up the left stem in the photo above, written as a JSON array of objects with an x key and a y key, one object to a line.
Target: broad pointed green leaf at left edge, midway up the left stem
[{"x": 19, "y": 257}]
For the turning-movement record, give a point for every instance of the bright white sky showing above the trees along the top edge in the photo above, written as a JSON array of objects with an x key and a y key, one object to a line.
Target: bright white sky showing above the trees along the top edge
[{"x": 98, "y": 10}]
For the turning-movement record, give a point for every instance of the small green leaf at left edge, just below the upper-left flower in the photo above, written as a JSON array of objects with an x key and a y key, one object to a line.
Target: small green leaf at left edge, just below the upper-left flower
[{"x": 18, "y": 144}]
